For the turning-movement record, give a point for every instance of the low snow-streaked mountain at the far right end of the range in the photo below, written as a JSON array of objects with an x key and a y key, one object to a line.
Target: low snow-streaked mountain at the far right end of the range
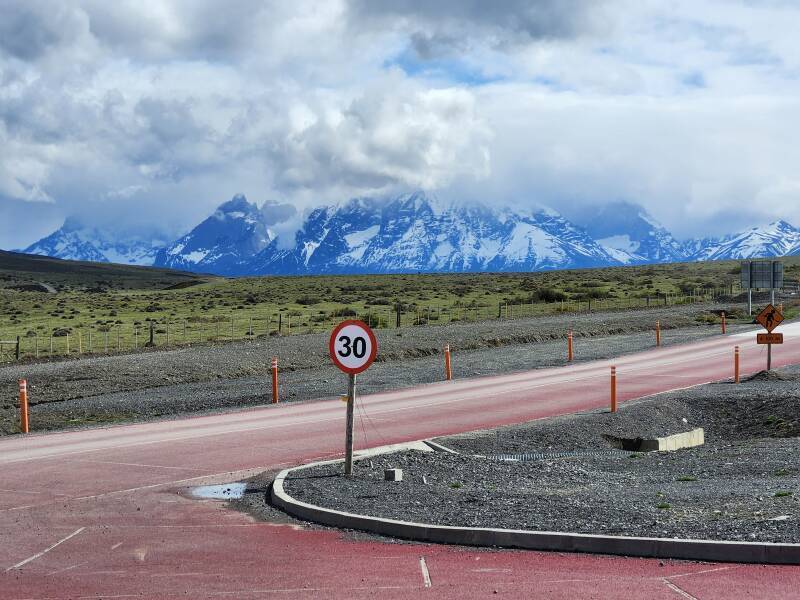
[{"x": 776, "y": 239}]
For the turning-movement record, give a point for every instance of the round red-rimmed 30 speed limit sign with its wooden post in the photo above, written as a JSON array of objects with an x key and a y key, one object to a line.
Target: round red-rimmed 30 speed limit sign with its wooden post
[{"x": 353, "y": 348}]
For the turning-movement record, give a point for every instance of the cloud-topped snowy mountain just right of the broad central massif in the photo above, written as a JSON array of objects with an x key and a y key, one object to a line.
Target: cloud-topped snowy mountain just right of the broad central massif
[{"x": 629, "y": 234}]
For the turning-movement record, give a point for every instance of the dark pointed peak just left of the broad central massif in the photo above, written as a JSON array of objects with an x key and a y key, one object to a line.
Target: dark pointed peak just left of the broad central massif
[{"x": 221, "y": 244}]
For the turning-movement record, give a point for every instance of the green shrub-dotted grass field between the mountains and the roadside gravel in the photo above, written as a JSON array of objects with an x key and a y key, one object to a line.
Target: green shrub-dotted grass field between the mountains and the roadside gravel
[{"x": 106, "y": 308}]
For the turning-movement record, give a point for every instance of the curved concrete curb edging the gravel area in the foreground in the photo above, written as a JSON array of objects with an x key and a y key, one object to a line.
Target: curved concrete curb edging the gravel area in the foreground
[{"x": 705, "y": 550}]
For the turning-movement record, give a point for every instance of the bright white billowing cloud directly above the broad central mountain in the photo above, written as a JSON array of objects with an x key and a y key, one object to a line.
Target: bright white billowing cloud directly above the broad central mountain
[{"x": 396, "y": 134}]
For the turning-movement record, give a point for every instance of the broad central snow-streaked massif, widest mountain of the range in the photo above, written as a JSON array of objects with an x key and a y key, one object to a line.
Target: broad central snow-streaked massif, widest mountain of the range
[{"x": 415, "y": 232}]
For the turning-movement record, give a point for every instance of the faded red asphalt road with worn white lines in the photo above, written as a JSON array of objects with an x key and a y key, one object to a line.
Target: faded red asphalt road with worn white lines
[{"x": 104, "y": 512}]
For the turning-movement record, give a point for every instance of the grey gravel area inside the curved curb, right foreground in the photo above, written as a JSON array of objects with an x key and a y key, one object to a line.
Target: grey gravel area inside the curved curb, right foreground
[{"x": 743, "y": 484}]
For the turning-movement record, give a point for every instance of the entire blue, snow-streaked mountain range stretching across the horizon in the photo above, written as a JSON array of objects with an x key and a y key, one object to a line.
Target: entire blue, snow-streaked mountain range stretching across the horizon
[{"x": 411, "y": 233}]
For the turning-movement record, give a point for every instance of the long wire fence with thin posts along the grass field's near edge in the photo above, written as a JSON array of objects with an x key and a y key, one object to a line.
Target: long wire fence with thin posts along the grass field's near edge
[{"x": 21, "y": 343}]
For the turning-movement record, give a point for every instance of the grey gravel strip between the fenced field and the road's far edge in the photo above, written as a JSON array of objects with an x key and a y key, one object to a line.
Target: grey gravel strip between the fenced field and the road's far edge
[{"x": 155, "y": 384}]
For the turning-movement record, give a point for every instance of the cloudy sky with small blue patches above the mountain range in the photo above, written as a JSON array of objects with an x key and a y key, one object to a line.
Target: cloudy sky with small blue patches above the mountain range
[{"x": 145, "y": 116}]
